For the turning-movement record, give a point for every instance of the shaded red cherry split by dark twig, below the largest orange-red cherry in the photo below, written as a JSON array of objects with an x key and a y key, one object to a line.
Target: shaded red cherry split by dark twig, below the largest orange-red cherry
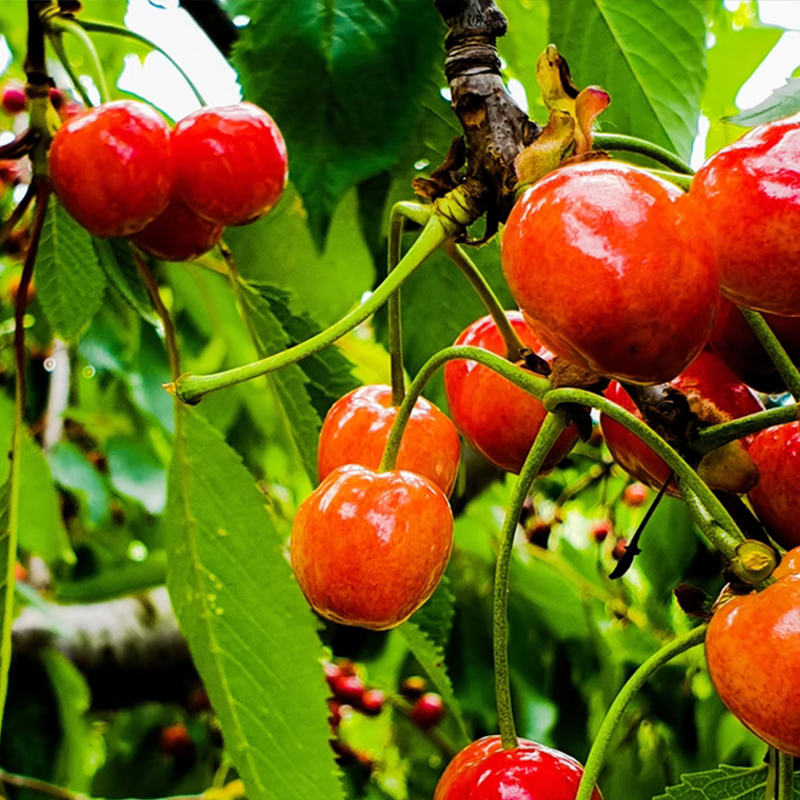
[{"x": 707, "y": 383}]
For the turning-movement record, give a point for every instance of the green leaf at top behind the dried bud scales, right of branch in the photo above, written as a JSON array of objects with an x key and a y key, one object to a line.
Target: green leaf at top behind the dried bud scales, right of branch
[{"x": 649, "y": 55}]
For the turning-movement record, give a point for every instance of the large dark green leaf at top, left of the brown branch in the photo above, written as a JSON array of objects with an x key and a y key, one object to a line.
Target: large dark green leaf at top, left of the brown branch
[{"x": 342, "y": 79}]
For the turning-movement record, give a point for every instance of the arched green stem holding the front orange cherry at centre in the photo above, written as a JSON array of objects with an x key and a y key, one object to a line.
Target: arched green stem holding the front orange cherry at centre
[{"x": 533, "y": 384}]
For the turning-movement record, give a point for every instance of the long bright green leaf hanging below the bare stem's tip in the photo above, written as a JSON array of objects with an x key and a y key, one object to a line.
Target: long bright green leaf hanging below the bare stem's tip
[{"x": 251, "y": 633}]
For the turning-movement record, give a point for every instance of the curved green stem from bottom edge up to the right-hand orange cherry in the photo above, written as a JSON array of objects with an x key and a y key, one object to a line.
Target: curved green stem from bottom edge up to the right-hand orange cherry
[{"x": 600, "y": 746}]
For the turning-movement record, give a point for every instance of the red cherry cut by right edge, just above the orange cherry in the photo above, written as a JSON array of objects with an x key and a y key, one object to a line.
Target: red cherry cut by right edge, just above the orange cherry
[{"x": 775, "y": 498}]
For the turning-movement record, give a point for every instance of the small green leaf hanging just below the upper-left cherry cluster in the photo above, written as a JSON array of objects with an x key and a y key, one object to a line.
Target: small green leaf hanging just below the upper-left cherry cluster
[{"x": 69, "y": 279}]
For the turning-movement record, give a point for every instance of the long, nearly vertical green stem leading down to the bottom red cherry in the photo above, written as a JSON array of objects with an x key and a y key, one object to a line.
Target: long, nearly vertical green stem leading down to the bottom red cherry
[{"x": 552, "y": 427}]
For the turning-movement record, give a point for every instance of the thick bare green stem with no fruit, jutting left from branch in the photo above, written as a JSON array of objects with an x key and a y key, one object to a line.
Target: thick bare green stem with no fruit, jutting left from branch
[{"x": 192, "y": 388}]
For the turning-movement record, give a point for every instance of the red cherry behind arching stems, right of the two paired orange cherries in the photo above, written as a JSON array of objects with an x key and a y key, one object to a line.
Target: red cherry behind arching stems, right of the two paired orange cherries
[{"x": 498, "y": 419}]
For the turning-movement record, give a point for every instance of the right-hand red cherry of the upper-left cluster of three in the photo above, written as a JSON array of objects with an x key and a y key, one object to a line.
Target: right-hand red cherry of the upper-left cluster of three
[{"x": 231, "y": 163}]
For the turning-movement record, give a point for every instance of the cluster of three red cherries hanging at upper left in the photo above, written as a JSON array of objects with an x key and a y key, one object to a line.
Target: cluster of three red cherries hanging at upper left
[{"x": 120, "y": 171}]
